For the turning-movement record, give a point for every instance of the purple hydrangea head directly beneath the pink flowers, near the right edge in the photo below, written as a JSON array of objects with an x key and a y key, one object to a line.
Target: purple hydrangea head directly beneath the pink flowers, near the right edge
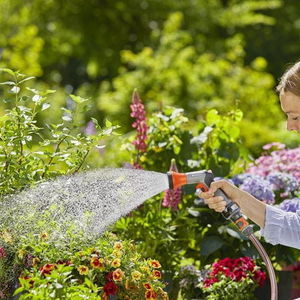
[{"x": 283, "y": 181}]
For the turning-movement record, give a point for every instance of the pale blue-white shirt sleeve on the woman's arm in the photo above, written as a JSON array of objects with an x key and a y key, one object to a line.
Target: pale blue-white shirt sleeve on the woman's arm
[{"x": 282, "y": 227}]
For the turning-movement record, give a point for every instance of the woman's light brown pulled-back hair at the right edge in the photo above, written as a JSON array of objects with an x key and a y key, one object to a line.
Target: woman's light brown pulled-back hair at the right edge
[{"x": 290, "y": 80}]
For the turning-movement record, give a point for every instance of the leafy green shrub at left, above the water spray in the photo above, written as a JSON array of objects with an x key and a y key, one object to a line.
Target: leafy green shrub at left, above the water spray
[{"x": 29, "y": 153}]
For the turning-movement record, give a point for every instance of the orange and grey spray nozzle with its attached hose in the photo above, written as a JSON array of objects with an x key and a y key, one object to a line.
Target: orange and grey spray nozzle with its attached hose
[{"x": 232, "y": 212}]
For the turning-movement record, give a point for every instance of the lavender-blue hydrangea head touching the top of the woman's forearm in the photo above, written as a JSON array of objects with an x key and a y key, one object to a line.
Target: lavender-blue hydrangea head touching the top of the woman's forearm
[{"x": 259, "y": 188}]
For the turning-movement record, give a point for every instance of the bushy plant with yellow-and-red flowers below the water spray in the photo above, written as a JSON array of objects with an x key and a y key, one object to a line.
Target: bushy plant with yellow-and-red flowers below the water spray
[{"x": 85, "y": 270}]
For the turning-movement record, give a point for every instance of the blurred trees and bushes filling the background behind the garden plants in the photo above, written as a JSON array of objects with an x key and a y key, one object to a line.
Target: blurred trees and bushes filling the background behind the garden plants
[{"x": 191, "y": 54}]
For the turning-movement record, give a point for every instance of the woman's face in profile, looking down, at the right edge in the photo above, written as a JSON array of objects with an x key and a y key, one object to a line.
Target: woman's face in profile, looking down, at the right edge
[{"x": 290, "y": 105}]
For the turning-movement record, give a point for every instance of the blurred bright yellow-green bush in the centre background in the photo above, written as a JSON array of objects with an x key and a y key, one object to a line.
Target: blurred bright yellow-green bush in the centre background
[{"x": 177, "y": 73}]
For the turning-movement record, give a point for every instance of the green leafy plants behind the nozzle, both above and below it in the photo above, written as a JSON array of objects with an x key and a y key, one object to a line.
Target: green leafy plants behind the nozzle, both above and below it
[{"x": 176, "y": 236}]
